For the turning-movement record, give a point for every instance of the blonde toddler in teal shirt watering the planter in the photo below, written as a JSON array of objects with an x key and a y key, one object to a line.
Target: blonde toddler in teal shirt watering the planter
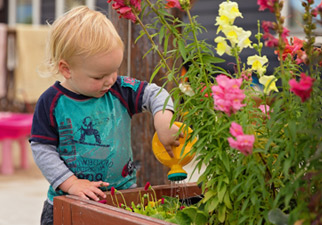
[{"x": 81, "y": 137}]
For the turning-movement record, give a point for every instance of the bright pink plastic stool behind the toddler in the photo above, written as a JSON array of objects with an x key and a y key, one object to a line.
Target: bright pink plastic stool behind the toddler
[{"x": 14, "y": 126}]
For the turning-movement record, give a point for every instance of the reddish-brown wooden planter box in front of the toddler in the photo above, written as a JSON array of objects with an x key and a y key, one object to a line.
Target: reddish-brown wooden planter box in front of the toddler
[{"x": 70, "y": 210}]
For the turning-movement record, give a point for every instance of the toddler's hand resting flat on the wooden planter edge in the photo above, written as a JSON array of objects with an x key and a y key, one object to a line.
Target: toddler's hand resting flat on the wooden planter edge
[{"x": 84, "y": 188}]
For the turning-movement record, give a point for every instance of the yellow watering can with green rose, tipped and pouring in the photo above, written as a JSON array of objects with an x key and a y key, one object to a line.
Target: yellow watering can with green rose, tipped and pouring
[{"x": 180, "y": 158}]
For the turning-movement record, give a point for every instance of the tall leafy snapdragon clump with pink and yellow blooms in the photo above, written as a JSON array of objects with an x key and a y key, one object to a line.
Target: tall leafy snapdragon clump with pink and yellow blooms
[{"x": 262, "y": 149}]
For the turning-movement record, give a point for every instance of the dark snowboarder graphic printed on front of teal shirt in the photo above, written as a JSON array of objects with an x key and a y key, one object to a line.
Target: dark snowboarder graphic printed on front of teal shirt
[{"x": 83, "y": 150}]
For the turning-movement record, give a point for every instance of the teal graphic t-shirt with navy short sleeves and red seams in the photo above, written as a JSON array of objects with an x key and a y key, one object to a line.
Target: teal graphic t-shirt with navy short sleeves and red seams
[{"x": 92, "y": 135}]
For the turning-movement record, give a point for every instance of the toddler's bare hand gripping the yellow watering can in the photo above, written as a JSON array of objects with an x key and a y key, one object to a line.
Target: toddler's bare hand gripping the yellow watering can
[{"x": 167, "y": 136}]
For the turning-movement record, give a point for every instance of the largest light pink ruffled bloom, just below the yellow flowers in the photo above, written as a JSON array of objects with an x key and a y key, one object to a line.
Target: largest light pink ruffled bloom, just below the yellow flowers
[{"x": 227, "y": 94}]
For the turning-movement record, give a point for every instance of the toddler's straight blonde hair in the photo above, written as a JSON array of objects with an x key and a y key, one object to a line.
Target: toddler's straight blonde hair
[{"x": 80, "y": 32}]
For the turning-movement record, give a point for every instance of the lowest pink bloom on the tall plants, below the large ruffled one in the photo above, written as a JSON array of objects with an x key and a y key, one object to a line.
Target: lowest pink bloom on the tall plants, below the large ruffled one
[{"x": 243, "y": 143}]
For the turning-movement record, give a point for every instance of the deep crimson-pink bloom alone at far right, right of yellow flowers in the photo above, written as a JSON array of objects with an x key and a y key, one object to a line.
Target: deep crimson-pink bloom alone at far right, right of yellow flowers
[{"x": 303, "y": 88}]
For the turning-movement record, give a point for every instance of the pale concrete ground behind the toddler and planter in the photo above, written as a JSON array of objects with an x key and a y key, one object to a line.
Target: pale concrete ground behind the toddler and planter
[{"x": 22, "y": 194}]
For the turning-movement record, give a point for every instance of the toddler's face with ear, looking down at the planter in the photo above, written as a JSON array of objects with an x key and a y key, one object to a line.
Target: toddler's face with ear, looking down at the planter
[{"x": 92, "y": 76}]
